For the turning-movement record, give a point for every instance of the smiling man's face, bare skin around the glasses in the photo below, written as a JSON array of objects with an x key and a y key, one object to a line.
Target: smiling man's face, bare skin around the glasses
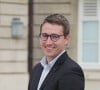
[{"x": 53, "y": 48}]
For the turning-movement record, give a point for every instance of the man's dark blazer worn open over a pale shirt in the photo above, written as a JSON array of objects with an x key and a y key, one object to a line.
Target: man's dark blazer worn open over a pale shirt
[{"x": 65, "y": 75}]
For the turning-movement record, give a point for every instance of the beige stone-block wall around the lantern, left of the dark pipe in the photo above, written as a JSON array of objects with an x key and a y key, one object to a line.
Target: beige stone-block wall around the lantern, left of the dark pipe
[{"x": 13, "y": 51}]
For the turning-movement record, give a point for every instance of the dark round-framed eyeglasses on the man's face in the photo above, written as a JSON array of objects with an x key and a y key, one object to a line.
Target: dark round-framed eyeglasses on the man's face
[{"x": 53, "y": 37}]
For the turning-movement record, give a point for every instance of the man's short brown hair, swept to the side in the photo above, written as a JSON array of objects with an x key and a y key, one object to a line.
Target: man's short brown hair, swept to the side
[{"x": 57, "y": 19}]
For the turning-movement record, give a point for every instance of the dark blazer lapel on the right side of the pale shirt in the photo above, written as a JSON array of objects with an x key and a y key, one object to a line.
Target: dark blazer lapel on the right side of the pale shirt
[{"x": 56, "y": 66}]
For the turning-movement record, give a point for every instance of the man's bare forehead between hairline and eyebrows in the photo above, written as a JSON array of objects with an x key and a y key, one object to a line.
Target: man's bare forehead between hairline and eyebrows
[{"x": 52, "y": 28}]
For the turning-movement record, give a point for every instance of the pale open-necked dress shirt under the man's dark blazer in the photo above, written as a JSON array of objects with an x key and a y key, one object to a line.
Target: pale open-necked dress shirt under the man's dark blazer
[{"x": 47, "y": 68}]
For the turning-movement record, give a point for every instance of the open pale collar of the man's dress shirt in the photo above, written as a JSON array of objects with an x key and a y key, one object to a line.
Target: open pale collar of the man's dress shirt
[{"x": 51, "y": 63}]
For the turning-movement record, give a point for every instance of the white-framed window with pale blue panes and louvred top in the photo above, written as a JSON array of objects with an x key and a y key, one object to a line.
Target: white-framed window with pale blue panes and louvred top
[{"x": 89, "y": 34}]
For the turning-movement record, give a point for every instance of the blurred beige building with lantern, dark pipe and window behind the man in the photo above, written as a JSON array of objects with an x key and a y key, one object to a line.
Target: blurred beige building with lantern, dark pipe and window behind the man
[{"x": 19, "y": 43}]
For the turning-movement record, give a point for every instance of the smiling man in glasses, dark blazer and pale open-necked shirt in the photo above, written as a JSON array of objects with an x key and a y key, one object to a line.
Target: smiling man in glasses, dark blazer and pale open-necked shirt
[{"x": 56, "y": 70}]
